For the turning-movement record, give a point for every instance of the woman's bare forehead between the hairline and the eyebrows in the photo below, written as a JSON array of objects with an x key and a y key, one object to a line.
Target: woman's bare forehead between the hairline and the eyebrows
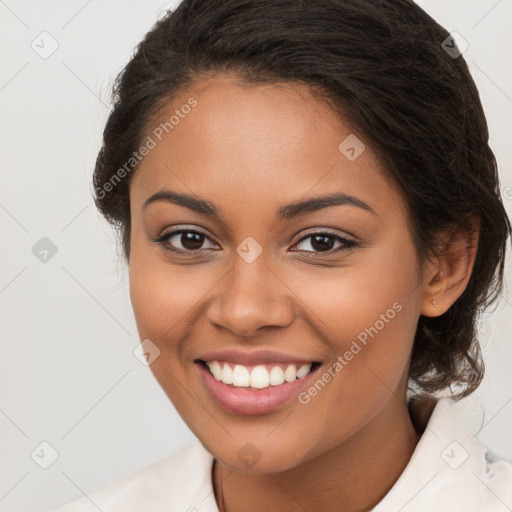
[{"x": 257, "y": 144}]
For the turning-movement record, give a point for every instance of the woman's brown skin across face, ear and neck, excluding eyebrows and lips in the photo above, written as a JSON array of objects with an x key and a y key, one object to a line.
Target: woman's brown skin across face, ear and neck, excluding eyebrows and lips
[{"x": 250, "y": 150}]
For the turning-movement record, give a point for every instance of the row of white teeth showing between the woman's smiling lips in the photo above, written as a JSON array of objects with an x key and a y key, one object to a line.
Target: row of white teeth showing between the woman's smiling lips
[{"x": 260, "y": 376}]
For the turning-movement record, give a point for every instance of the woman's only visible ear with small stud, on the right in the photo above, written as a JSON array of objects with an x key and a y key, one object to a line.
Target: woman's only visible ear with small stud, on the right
[{"x": 448, "y": 274}]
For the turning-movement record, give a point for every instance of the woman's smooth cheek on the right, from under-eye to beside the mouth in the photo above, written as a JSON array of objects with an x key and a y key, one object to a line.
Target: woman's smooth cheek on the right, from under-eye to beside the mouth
[{"x": 367, "y": 313}]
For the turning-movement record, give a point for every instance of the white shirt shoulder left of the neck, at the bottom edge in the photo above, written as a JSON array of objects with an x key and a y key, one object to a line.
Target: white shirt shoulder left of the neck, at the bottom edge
[{"x": 181, "y": 481}]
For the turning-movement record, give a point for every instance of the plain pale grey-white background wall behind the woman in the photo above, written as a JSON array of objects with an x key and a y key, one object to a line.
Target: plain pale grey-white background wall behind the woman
[{"x": 68, "y": 374}]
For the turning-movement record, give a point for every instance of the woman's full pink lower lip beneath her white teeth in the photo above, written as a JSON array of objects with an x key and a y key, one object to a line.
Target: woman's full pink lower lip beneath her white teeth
[{"x": 252, "y": 402}]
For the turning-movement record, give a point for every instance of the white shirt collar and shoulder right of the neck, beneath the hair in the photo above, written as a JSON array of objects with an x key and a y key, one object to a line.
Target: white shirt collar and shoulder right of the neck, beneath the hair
[{"x": 451, "y": 470}]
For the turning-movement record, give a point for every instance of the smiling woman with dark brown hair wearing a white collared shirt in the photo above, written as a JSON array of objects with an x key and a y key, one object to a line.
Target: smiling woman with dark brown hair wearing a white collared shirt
[{"x": 311, "y": 215}]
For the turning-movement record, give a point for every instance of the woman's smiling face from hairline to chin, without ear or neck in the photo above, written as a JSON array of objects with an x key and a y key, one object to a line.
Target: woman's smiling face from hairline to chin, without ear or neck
[{"x": 255, "y": 281}]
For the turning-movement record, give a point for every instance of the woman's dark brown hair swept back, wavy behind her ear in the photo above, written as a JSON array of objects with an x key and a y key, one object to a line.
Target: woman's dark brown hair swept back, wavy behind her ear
[{"x": 385, "y": 65}]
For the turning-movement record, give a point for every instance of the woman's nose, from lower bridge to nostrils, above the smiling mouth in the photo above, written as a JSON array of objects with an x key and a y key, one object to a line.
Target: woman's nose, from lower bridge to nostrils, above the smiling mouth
[{"x": 251, "y": 297}]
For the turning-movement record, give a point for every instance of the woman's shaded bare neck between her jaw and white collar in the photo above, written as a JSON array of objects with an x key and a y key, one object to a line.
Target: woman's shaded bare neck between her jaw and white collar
[{"x": 352, "y": 477}]
